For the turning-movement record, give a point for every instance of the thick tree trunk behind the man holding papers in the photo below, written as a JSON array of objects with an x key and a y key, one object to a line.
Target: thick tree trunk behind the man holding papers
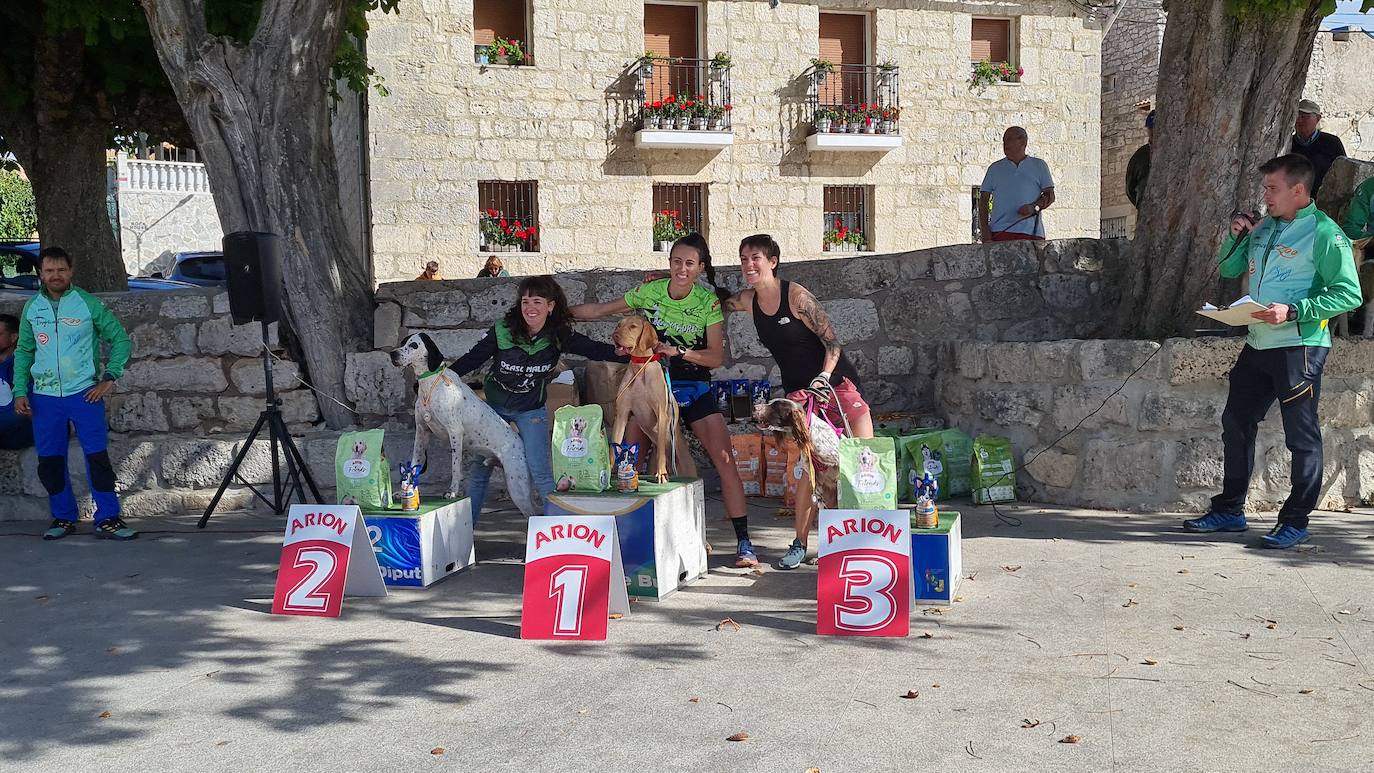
[{"x": 1226, "y": 102}]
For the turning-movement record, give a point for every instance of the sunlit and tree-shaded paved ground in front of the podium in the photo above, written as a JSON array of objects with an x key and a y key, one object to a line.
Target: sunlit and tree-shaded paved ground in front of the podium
[{"x": 1160, "y": 651}]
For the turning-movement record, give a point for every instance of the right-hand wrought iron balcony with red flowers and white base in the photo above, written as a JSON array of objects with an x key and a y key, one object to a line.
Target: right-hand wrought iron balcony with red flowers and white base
[{"x": 854, "y": 106}]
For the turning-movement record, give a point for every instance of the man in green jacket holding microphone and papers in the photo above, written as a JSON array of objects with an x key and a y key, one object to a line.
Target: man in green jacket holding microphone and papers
[{"x": 1300, "y": 268}]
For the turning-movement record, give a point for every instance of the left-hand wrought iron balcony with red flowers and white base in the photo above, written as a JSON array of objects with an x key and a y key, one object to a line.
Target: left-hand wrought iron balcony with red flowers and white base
[{"x": 684, "y": 104}]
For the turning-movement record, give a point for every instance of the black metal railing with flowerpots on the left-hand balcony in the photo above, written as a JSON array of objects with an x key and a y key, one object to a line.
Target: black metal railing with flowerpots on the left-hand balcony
[{"x": 684, "y": 94}]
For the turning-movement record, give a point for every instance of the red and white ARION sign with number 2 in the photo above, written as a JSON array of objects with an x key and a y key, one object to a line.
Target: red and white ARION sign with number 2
[{"x": 325, "y": 555}]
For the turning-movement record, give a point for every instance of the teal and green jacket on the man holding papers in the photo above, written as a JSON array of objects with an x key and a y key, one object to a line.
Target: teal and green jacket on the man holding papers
[{"x": 1305, "y": 263}]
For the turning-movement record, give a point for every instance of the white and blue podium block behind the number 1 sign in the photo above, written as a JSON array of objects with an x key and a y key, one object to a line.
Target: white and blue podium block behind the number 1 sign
[{"x": 662, "y": 528}]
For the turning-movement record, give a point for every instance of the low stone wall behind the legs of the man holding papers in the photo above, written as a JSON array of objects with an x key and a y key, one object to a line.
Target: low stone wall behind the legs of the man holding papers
[{"x": 1156, "y": 446}]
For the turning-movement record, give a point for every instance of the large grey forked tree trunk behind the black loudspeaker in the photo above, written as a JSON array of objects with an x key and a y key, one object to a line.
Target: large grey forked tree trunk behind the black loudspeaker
[{"x": 259, "y": 113}]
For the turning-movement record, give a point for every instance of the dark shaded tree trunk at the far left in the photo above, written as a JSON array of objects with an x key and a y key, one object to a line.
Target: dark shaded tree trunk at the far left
[{"x": 64, "y": 152}]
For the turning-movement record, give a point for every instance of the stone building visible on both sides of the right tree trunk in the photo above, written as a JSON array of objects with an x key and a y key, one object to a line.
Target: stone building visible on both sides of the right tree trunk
[{"x": 1338, "y": 80}]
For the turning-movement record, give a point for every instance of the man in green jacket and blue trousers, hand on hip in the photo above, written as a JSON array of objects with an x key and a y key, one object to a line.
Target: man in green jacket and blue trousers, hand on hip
[{"x": 61, "y": 330}]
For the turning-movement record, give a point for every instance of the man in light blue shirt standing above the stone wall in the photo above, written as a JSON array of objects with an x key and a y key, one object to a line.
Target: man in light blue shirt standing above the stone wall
[{"x": 1020, "y": 189}]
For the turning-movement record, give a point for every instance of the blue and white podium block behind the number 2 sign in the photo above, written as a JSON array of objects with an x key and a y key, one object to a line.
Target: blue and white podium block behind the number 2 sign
[{"x": 417, "y": 550}]
